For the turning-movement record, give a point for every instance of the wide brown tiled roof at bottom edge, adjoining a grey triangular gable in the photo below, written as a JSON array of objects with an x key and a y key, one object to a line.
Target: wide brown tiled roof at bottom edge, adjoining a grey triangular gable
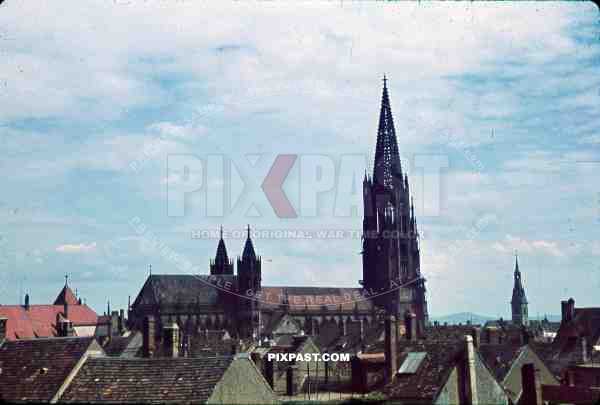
[{"x": 164, "y": 380}]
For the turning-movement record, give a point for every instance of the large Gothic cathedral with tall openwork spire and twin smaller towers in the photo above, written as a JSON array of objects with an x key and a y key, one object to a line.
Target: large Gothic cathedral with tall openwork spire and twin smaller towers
[{"x": 391, "y": 282}]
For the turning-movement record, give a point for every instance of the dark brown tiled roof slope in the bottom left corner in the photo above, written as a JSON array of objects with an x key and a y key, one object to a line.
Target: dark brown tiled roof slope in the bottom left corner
[{"x": 33, "y": 370}]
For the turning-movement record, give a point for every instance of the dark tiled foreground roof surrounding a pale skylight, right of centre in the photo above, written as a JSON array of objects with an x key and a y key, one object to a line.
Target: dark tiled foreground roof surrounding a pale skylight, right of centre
[{"x": 431, "y": 374}]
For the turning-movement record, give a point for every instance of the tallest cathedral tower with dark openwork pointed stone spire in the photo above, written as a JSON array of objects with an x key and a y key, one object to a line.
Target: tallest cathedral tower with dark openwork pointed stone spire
[{"x": 391, "y": 257}]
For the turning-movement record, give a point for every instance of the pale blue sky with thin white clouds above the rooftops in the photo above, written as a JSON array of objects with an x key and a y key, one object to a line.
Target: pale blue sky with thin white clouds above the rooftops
[{"x": 87, "y": 87}]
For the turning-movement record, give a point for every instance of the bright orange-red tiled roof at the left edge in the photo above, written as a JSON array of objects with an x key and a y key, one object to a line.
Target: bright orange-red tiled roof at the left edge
[{"x": 40, "y": 320}]
